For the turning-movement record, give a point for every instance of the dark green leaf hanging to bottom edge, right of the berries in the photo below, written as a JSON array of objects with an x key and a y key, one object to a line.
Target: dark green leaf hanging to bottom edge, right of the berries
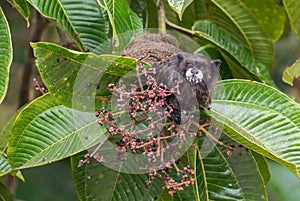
[{"x": 220, "y": 176}]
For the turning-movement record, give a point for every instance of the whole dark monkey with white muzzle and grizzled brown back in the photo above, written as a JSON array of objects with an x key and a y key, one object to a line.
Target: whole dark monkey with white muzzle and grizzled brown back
[{"x": 198, "y": 73}]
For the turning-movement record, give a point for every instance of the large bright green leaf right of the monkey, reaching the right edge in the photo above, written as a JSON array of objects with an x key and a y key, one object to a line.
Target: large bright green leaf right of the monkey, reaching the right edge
[{"x": 261, "y": 118}]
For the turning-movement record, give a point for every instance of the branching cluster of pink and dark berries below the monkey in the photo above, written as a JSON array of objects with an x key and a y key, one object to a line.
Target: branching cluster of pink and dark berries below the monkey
[{"x": 149, "y": 129}]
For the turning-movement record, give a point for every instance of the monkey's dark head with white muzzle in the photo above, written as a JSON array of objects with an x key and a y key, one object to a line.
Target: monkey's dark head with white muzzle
[{"x": 195, "y": 68}]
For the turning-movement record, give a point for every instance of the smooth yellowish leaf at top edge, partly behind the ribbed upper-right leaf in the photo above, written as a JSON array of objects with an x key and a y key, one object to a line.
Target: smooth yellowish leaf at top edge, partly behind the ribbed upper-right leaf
[{"x": 271, "y": 19}]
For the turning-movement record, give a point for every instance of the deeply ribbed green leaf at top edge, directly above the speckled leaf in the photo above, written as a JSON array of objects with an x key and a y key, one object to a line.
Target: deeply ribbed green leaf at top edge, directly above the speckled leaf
[{"x": 83, "y": 20}]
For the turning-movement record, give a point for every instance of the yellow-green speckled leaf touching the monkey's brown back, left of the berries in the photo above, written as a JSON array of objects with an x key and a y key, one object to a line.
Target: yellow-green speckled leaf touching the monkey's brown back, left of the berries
[{"x": 75, "y": 78}]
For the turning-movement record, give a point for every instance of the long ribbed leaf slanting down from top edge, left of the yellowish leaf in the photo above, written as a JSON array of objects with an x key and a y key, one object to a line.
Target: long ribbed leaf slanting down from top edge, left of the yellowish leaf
[{"x": 235, "y": 18}]
